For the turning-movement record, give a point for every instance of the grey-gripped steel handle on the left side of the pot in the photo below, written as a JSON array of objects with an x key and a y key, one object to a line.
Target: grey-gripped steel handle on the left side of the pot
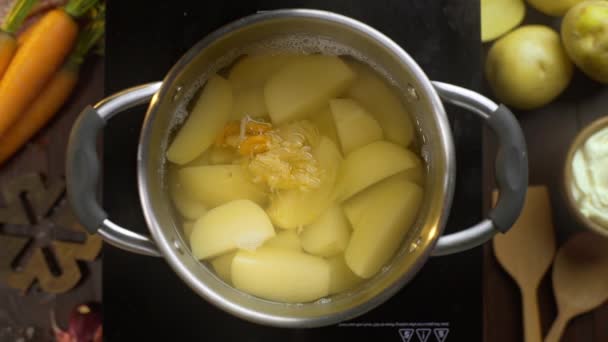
[{"x": 82, "y": 169}]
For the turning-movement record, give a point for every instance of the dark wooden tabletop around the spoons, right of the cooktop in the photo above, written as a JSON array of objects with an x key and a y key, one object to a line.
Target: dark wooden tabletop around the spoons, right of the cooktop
[{"x": 549, "y": 132}]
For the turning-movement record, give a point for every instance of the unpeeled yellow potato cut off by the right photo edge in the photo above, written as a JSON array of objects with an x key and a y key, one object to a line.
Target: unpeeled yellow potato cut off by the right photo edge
[{"x": 585, "y": 37}]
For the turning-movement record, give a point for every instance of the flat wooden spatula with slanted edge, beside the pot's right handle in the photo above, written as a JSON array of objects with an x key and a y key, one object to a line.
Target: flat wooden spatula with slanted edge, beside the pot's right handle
[{"x": 526, "y": 252}]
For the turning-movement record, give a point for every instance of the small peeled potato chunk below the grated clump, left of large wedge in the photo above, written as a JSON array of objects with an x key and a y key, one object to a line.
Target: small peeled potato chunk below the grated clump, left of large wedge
[{"x": 328, "y": 235}]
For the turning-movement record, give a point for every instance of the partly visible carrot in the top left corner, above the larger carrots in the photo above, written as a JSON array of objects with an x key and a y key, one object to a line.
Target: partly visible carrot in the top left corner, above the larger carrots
[{"x": 12, "y": 22}]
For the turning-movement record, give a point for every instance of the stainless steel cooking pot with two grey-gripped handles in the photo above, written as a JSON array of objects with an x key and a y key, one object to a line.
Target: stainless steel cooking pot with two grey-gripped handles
[{"x": 423, "y": 101}]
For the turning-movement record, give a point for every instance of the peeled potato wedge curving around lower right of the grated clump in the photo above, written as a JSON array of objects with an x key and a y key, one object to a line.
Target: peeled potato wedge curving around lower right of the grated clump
[{"x": 293, "y": 208}]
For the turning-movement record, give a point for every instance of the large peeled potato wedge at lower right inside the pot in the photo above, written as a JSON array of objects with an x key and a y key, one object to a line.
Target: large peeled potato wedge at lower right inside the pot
[{"x": 385, "y": 212}]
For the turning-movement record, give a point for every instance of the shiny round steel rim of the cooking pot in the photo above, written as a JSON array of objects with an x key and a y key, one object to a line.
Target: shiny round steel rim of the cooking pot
[{"x": 169, "y": 250}]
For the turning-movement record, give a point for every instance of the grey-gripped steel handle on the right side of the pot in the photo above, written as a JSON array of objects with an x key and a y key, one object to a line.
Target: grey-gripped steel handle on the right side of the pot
[{"x": 511, "y": 168}]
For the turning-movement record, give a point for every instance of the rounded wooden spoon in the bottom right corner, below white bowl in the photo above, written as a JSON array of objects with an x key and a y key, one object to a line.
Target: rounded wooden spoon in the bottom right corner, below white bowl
[{"x": 580, "y": 279}]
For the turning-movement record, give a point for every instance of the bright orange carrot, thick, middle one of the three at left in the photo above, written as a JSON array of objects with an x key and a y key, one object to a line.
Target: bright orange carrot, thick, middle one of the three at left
[{"x": 38, "y": 59}]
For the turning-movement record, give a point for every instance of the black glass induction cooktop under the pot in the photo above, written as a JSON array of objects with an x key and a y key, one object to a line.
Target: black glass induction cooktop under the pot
[{"x": 145, "y": 301}]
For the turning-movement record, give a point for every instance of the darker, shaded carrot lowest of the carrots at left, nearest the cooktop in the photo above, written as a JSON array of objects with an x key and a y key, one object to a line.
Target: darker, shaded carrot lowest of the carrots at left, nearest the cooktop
[{"x": 54, "y": 94}]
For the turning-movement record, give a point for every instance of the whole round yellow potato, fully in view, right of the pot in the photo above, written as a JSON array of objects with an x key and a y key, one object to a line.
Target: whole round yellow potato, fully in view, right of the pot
[{"x": 528, "y": 67}]
